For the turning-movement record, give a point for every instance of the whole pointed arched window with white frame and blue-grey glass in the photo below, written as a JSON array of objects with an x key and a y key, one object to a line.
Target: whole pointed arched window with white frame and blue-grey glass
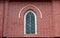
[{"x": 30, "y": 25}]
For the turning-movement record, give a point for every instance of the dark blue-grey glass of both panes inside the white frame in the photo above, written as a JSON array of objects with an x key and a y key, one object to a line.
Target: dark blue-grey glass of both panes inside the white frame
[{"x": 30, "y": 23}]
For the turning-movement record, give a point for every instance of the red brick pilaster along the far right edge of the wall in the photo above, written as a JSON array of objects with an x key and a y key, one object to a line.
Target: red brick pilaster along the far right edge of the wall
[{"x": 56, "y": 17}]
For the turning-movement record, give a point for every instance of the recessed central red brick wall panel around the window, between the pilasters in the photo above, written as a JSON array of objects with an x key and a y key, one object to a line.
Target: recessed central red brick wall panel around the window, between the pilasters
[{"x": 15, "y": 25}]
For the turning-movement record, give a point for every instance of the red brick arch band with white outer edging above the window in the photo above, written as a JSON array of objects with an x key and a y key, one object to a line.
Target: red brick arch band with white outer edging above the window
[{"x": 30, "y": 7}]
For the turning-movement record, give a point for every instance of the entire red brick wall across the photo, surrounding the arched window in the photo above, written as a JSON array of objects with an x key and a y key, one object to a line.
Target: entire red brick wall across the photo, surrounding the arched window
[{"x": 13, "y": 26}]
